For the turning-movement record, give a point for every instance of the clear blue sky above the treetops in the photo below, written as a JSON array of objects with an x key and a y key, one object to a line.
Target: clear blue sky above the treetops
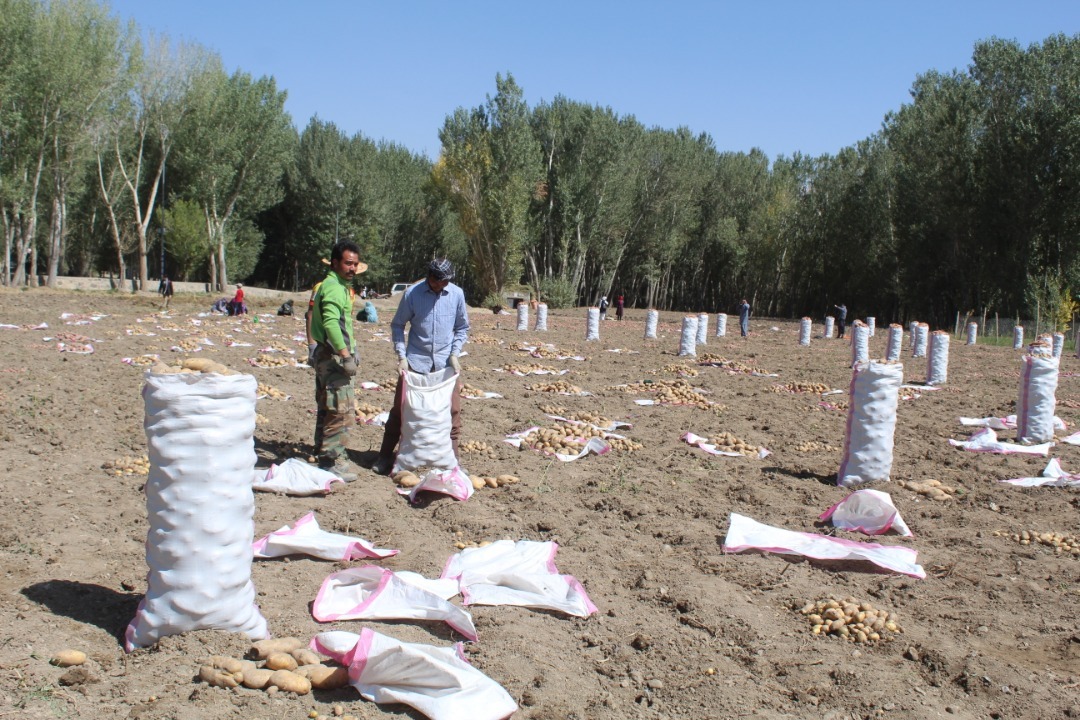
[{"x": 785, "y": 77}]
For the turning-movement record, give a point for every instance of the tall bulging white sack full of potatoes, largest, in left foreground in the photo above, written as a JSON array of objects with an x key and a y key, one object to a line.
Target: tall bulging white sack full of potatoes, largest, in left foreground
[{"x": 200, "y": 507}]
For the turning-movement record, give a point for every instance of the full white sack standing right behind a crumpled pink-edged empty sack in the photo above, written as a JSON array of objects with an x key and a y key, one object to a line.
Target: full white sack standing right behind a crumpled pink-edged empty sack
[{"x": 872, "y": 423}]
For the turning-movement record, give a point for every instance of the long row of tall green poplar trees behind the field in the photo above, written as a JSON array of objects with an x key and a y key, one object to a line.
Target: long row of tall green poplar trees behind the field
[{"x": 115, "y": 145}]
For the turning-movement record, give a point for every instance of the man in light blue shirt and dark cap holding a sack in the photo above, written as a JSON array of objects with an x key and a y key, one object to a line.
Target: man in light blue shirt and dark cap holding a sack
[{"x": 439, "y": 327}]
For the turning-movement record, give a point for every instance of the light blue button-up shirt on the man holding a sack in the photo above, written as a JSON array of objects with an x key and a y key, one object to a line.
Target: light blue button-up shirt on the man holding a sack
[{"x": 439, "y": 327}]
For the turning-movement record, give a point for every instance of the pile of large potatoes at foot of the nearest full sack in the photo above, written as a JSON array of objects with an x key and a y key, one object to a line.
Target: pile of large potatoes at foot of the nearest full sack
[{"x": 282, "y": 664}]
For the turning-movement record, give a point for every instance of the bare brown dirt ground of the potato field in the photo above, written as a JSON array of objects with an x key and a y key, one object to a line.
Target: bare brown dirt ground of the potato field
[{"x": 684, "y": 630}]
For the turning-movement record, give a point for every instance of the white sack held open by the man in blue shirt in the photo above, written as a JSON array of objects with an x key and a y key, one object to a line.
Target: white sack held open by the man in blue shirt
[{"x": 426, "y": 422}]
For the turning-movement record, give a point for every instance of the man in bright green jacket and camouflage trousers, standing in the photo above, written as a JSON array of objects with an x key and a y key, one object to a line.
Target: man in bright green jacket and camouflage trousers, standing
[{"x": 335, "y": 360}]
